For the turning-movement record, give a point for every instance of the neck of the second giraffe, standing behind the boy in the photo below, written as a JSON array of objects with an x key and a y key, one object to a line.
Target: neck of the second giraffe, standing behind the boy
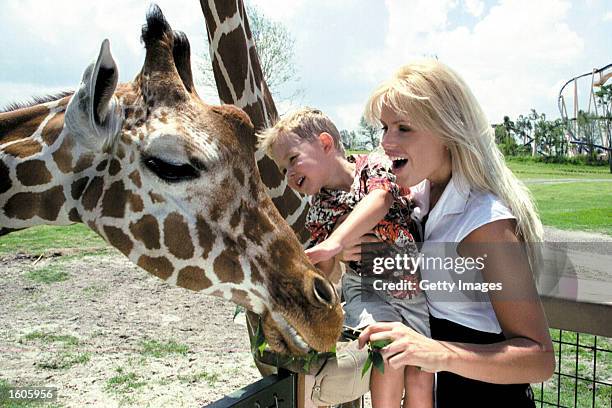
[{"x": 240, "y": 82}]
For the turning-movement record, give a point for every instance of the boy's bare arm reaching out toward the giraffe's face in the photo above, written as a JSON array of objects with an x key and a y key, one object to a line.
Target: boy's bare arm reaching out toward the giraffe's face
[{"x": 366, "y": 214}]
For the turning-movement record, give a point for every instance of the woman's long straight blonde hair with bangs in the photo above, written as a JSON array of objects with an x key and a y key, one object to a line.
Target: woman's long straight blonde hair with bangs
[{"x": 435, "y": 98}]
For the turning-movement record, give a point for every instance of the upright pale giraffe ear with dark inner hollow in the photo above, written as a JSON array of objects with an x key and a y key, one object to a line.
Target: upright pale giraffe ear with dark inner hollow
[{"x": 94, "y": 114}]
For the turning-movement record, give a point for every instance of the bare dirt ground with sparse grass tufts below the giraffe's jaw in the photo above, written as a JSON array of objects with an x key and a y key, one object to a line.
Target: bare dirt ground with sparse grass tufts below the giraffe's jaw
[{"x": 112, "y": 335}]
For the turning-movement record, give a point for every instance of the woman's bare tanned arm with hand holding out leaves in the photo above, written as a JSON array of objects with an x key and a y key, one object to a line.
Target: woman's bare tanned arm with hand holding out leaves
[{"x": 527, "y": 354}]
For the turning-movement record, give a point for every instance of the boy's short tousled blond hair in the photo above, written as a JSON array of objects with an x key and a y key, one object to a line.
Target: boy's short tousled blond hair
[{"x": 306, "y": 123}]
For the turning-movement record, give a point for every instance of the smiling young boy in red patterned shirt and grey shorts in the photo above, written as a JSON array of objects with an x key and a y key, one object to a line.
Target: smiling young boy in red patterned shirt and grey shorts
[{"x": 352, "y": 197}]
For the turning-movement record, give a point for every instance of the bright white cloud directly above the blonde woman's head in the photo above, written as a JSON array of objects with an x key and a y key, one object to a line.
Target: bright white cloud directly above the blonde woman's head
[{"x": 509, "y": 57}]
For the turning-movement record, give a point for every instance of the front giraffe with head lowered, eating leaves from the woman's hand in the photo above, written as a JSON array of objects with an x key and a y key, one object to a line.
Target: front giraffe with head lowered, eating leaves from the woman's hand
[{"x": 169, "y": 181}]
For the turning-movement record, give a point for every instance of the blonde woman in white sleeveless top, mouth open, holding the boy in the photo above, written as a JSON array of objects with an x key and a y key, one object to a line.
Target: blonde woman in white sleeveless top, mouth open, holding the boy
[{"x": 485, "y": 348}]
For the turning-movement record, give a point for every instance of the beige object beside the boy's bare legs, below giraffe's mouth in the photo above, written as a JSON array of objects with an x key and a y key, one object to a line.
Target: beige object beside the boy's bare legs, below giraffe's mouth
[{"x": 339, "y": 380}]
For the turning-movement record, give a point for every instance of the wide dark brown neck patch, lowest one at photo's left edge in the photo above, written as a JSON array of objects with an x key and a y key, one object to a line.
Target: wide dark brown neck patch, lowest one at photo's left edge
[{"x": 46, "y": 204}]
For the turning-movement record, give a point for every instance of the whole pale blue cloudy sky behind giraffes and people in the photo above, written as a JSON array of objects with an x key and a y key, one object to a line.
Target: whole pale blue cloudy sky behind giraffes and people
[{"x": 515, "y": 54}]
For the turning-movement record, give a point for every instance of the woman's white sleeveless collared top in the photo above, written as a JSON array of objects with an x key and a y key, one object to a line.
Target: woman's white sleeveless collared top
[{"x": 458, "y": 212}]
